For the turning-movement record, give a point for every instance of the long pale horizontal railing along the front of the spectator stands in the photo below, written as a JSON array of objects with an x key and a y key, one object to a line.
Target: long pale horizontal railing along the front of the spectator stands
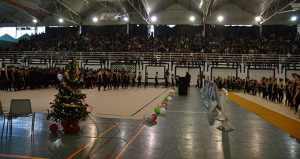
[{"x": 154, "y": 56}]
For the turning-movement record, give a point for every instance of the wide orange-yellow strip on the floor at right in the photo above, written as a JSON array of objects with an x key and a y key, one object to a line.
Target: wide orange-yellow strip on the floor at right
[{"x": 286, "y": 124}]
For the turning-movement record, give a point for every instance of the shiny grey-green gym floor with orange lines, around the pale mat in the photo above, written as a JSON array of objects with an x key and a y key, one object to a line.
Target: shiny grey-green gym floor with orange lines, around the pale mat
[{"x": 186, "y": 131}]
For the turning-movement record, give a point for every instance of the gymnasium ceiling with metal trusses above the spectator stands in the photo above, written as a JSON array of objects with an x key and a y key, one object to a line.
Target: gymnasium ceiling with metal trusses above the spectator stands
[{"x": 110, "y": 12}]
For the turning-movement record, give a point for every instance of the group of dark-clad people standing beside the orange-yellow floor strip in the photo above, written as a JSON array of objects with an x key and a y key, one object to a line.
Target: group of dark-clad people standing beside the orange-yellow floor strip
[{"x": 271, "y": 88}]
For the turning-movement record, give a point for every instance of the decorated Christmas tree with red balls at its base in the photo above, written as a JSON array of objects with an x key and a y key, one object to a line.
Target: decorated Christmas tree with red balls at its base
[{"x": 69, "y": 106}]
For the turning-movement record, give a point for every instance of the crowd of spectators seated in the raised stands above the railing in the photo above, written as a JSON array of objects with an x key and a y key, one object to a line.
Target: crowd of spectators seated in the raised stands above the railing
[{"x": 271, "y": 44}]
